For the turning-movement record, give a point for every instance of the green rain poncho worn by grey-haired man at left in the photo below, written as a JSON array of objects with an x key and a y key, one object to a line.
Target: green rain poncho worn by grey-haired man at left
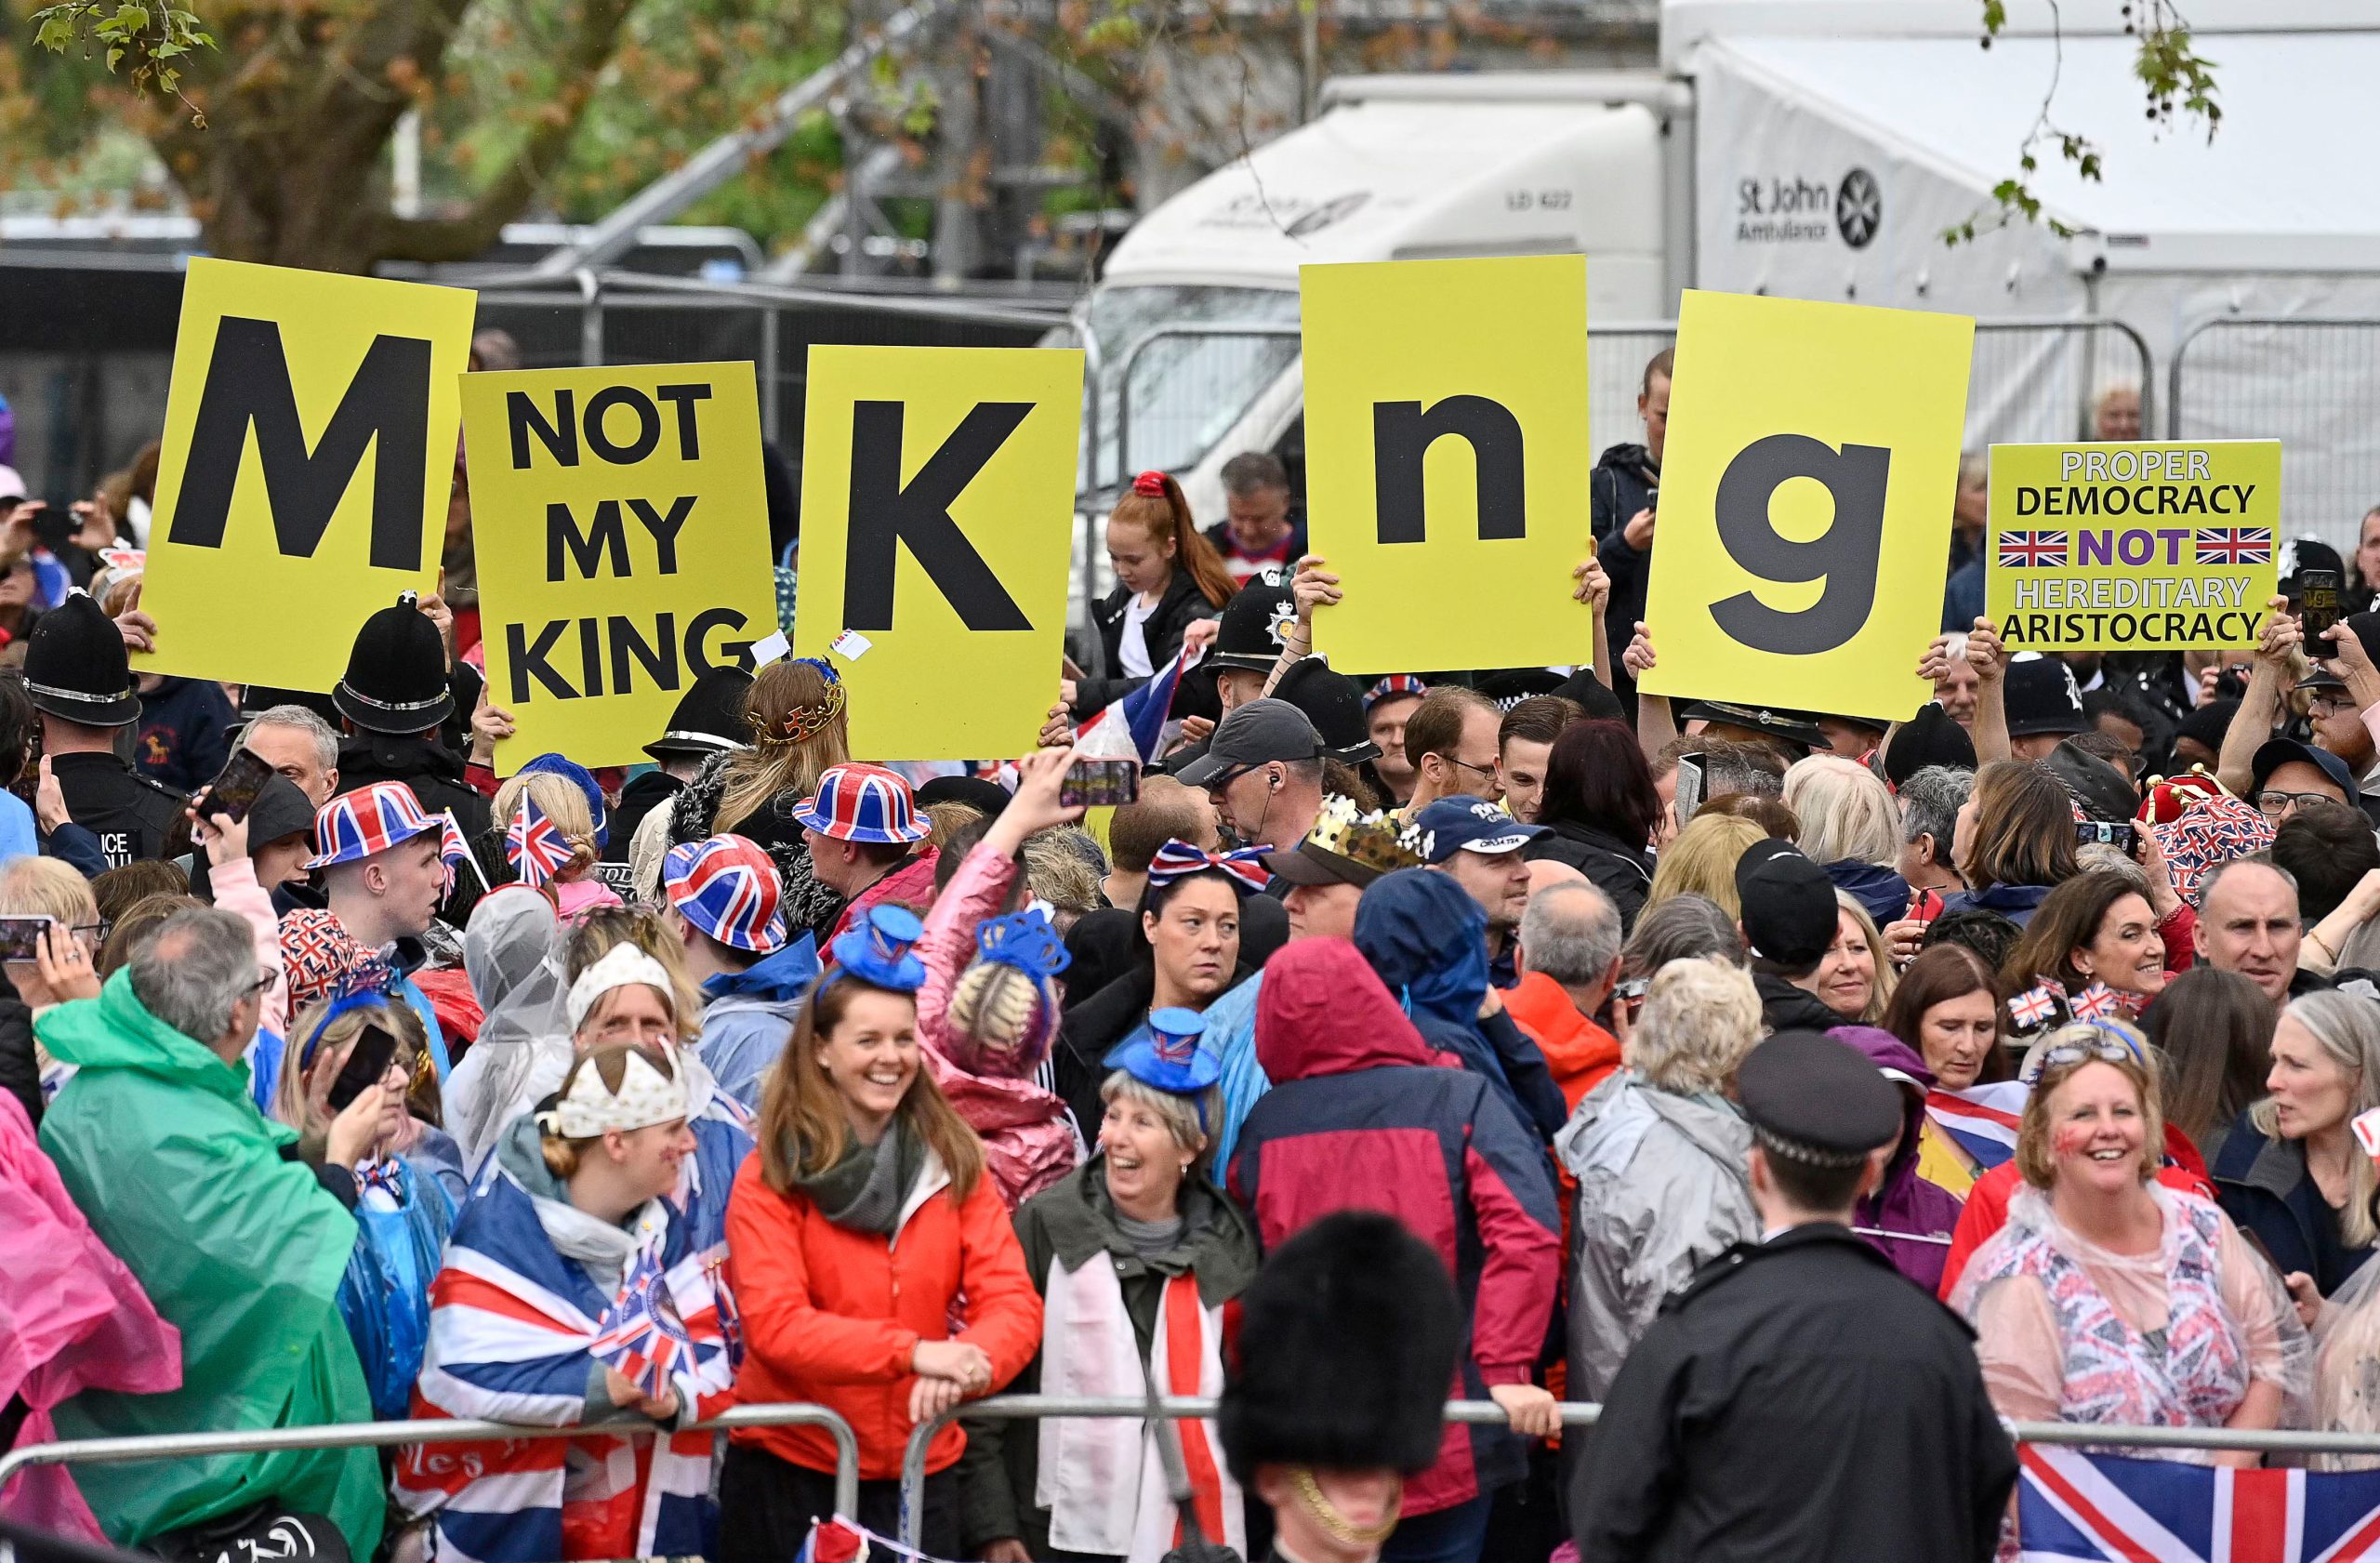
[{"x": 242, "y": 1250}]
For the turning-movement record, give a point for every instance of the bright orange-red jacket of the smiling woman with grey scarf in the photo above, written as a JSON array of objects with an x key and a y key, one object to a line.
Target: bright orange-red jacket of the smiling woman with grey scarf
[{"x": 832, "y": 1314}]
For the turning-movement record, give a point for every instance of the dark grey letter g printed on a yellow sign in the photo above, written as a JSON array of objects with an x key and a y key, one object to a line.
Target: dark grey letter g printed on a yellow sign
[{"x": 1843, "y": 555}]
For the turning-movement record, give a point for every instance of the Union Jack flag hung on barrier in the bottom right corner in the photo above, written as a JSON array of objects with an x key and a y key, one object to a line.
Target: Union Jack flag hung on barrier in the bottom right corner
[{"x": 2079, "y": 1505}]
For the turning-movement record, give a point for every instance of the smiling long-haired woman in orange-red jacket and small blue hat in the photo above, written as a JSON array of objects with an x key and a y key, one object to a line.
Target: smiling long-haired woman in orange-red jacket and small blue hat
[{"x": 851, "y": 1238}]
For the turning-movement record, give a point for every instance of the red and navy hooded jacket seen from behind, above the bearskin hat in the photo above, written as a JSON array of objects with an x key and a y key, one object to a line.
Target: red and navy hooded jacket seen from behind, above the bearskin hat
[{"x": 1365, "y": 1117}]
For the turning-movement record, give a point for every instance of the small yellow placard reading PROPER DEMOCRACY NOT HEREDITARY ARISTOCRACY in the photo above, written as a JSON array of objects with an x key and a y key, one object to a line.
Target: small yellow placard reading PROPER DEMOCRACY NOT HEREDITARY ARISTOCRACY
[{"x": 2141, "y": 546}]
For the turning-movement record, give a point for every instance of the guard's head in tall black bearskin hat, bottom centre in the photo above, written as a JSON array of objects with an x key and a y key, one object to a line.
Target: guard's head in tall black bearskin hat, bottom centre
[{"x": 1339, "y": 1388}]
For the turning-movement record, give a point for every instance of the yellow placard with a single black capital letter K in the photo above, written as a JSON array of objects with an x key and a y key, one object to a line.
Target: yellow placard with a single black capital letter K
[{"x": 937, "y": 541}]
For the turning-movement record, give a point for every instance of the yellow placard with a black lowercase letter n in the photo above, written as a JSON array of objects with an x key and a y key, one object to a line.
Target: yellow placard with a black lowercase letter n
[{"x": 1448, "y": 460}]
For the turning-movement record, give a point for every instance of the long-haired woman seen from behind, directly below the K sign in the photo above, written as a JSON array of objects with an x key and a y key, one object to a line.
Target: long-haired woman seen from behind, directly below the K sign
[{"x": 801, "y": 729}]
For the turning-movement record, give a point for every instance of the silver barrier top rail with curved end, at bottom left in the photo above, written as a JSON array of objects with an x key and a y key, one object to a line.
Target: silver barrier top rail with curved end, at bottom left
[{"x": 380, "y": 1436}]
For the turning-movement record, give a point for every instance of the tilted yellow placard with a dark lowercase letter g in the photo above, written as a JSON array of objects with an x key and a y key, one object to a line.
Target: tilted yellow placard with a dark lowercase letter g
[{"x": 1808, "y": 487}]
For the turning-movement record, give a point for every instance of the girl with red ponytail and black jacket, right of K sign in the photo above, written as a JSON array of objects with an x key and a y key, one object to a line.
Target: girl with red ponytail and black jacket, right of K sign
[{"x": 1167, "y": 577}]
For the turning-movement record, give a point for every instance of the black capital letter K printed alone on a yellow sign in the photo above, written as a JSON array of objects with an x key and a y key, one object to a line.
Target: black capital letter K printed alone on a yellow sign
[{"x": 887, "y": 515}]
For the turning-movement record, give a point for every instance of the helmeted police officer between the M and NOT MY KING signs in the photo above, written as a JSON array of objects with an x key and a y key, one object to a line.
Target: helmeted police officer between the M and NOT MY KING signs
[{"x": 394, "y": 701}]
